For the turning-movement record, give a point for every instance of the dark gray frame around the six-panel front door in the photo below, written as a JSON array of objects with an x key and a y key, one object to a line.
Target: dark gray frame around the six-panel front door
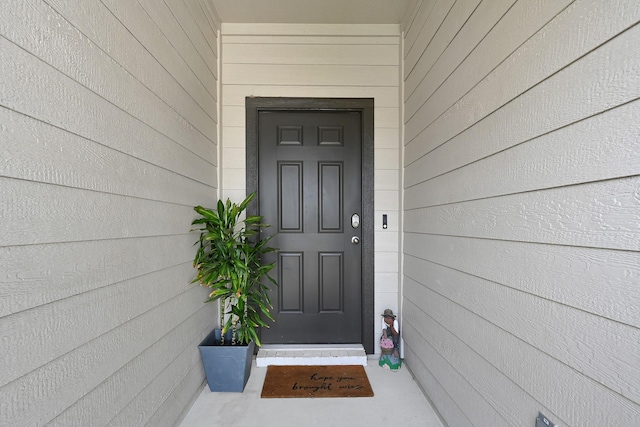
[{"x": 363, "y": 105}]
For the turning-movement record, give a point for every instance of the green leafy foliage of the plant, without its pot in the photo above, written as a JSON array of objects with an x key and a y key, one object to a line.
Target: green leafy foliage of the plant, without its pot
[{"x": 229, "y": 263}]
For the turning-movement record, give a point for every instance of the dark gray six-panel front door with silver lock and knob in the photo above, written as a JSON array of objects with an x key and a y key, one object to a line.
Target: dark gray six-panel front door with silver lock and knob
[{"x": 310, "y": 183}]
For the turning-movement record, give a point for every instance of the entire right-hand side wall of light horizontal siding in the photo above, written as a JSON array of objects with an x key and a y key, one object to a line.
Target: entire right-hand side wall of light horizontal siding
[{"x": 522, "y": 210}]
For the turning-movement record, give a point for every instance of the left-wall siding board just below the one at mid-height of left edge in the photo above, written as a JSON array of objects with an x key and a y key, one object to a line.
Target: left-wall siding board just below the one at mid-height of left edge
[{"x": 74, "y": 268}]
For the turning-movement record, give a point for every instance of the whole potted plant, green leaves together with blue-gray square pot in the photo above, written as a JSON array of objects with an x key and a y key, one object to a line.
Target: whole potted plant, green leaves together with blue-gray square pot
[{"x": 229, "y": 262}]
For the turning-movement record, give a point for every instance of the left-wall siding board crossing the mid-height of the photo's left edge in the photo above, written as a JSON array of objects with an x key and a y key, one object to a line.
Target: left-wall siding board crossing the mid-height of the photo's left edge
[{"x": 36, "y": 213}]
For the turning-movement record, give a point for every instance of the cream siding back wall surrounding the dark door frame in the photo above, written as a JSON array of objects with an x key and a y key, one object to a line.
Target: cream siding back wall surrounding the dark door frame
[{"x": 357, "y": 61}]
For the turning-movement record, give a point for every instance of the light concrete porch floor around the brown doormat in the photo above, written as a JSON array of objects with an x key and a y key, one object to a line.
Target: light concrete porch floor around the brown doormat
[{"x": 397, "y": 401}]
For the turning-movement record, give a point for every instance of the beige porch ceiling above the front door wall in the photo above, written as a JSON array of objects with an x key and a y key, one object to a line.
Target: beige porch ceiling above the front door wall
[{"x": 312, "y": 11}]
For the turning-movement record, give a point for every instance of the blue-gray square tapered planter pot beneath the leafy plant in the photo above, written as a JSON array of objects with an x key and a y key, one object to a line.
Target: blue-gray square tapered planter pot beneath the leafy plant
[{"x": 227, "y": 367}]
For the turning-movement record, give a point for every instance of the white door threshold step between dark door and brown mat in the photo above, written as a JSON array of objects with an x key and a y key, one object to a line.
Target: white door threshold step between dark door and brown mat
[{"x": 311, "y": 354}]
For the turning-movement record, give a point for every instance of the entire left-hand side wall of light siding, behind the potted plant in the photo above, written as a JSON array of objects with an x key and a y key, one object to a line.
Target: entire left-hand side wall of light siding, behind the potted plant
[{"x": 108, "y": 137}]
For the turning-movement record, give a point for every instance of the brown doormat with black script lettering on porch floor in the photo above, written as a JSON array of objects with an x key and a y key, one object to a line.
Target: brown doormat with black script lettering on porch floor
[{"x": 316, "y": 381}]
